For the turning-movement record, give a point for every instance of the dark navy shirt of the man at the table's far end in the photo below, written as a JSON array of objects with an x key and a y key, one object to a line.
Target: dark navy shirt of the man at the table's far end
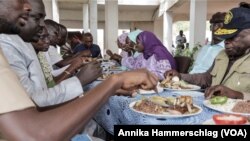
[{"x": 94, "y": 49}]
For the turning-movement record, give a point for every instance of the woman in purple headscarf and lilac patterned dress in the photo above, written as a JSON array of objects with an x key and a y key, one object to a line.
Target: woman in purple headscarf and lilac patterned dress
[{"x": 154, "y": 55}]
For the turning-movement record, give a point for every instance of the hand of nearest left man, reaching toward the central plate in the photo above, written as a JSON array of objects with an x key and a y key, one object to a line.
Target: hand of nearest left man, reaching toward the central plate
[{"x": 138, "y": 79}]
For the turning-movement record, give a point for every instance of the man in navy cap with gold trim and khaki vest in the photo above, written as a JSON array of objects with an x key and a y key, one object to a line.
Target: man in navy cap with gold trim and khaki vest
[{"x": 230, "y": 72}]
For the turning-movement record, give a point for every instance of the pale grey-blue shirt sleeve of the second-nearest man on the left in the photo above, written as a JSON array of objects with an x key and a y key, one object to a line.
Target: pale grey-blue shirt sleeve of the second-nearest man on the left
[{"x": 23, "y": 60}]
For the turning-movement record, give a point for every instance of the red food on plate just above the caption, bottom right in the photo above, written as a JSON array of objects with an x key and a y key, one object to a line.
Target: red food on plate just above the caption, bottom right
[{"x": 229, "y": 119}]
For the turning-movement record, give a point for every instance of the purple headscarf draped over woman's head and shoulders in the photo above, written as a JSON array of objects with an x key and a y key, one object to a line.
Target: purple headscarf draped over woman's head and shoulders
[{"x": 152, "y": 45}]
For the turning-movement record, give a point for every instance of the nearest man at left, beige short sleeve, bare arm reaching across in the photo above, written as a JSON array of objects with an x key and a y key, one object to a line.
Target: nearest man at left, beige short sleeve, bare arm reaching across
[{"x": 17, "y": 110}]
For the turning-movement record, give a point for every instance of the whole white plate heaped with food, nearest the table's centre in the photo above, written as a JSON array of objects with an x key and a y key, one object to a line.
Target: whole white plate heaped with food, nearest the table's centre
[{"x": 166, "y": 107}]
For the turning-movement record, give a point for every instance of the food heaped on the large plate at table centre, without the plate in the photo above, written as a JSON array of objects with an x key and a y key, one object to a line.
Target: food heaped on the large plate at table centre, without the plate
[{"x": 166, "y": 105}]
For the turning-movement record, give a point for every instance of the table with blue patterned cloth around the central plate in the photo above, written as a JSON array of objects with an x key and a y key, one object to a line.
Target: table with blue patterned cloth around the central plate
[{"x": 117, "y": 112}]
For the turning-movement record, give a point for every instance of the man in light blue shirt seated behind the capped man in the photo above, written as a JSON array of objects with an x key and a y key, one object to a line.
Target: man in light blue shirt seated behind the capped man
[{"x": 207, "y": 54}]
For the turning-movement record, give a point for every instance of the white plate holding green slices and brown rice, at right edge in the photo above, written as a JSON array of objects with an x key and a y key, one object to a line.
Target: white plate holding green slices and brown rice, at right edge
[{"x": 225, "y": 108}]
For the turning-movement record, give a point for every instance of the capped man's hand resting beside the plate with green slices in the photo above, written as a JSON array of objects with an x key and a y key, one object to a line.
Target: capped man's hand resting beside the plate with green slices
[{"x": 222, "y": 91}]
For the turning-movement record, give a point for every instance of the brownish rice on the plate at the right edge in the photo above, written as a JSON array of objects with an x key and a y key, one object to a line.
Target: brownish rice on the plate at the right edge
[{"x": 242, "y": 107}]
